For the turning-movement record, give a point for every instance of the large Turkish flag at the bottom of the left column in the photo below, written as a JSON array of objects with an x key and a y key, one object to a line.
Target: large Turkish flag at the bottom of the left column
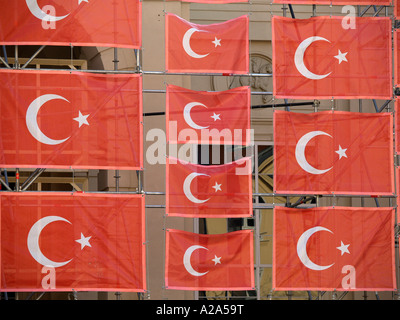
[{"x": 63, "y": 242}]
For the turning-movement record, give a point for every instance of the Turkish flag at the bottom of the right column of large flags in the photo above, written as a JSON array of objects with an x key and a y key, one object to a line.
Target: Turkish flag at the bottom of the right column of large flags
[{"x": 344, "y": 249}]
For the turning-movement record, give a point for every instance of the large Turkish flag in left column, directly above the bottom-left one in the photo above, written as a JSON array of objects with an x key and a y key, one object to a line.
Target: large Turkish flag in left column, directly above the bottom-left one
[{"x": 70, "y": 120}]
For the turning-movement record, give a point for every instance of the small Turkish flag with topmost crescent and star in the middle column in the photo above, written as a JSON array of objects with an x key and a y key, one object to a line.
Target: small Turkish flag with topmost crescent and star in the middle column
[{"x": 217, "y": 48}]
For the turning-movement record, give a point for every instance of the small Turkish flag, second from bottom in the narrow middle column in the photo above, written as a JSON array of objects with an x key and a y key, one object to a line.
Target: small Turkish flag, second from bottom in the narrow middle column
[{"x": 217, "y": 191}]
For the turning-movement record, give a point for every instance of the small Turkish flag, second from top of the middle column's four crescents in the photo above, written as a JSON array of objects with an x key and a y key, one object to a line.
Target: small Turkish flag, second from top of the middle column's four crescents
[{"x": 208, "y": 117}]
